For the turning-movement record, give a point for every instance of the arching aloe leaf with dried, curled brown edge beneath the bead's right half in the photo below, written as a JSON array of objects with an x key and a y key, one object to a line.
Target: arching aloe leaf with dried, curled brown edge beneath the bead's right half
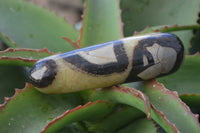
[{"x": 136, "y": 99}]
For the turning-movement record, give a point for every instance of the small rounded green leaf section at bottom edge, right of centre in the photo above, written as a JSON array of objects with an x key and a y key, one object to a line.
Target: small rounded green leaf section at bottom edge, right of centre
[{"x": 140, "y": 126}]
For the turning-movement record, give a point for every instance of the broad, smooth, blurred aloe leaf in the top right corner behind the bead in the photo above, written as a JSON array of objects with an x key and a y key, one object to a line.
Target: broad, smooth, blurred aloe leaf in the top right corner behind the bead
[{"x": 136, "y": 15}]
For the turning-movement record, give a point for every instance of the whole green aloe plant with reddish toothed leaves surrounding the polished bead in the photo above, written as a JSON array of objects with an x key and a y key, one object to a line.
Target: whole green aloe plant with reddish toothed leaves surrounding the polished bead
[{"x": 168, "y": 104}]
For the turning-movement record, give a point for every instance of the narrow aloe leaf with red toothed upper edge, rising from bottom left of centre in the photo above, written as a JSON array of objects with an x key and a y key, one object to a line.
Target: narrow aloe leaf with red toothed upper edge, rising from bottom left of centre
[{"x": 89, "y": 111}]
